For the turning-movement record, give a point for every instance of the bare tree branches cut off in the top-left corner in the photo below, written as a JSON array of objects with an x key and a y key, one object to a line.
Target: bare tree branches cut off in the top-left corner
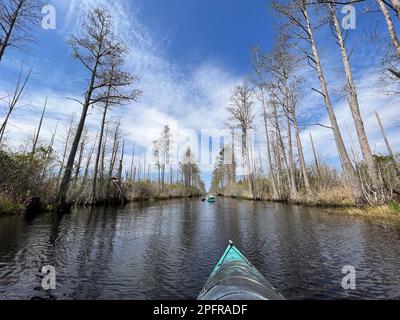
[{"x": 17, "y": 17}]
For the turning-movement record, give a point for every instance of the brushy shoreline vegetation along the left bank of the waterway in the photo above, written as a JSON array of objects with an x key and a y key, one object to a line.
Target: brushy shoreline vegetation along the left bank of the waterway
[{"x": 28, "y": 185}]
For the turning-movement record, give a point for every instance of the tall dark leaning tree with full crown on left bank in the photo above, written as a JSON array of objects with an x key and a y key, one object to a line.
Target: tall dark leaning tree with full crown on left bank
[{"x": 95, "y": 49}]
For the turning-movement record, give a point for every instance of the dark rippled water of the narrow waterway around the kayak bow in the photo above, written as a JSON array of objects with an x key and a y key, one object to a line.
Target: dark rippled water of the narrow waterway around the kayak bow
[{"x": 167, "y": 250}]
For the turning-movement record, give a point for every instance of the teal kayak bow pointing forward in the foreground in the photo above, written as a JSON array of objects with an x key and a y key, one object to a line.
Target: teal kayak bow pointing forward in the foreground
[{"x": 235, "y": 278}]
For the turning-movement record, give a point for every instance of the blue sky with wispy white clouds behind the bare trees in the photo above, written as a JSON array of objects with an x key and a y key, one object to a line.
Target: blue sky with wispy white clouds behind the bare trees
[{"x": 189, "y": 55}]
